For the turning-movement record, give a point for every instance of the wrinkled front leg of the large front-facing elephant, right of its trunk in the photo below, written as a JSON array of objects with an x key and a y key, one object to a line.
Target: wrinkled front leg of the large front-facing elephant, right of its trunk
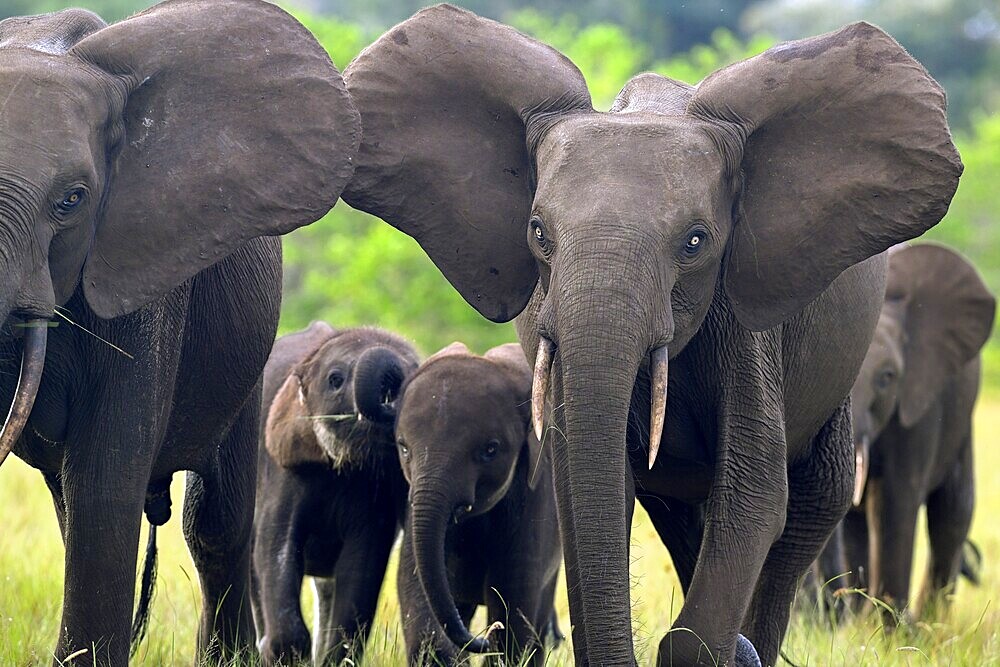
[{"x": 745, "y": 513}]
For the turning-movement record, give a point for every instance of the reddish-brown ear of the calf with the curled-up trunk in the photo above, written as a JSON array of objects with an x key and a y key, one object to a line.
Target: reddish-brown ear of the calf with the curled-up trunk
[{"x": 288, "y": 434}]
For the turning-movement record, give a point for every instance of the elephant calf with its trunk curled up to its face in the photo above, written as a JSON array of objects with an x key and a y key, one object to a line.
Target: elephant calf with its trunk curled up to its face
[{"x": 330, "y": 494}]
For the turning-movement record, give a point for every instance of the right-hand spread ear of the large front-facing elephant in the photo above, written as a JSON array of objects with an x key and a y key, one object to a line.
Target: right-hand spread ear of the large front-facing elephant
[{"x": 846, "y": 151}]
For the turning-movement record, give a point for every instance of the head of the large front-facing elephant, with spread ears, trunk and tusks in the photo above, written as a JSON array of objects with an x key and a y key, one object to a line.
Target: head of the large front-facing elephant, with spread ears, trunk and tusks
[{"x": 768, "y": 179}]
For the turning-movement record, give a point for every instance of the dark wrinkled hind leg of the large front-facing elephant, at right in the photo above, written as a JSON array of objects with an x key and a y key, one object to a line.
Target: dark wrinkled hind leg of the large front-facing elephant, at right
[{"x": 819, "y": 493}]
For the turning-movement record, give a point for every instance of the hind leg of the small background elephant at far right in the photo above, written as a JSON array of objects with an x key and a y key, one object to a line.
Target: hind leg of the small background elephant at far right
[{"x": 949, "y": 517}]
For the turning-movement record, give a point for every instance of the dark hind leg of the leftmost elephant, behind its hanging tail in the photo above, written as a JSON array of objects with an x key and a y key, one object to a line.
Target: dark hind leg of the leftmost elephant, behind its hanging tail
[{"x": 218, "y": 518}]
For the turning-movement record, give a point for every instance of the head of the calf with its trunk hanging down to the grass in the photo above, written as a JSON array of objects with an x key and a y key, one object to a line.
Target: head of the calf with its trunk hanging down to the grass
[{"x": 463, "y": 427}]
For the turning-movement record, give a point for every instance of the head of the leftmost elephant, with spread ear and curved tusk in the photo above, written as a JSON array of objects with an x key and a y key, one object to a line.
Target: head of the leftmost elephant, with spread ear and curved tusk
[{"x": 137, "y": 154}]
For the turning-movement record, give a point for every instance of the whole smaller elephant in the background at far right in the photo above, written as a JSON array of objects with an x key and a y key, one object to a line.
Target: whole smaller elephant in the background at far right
[{"x": 912, "y": 407}]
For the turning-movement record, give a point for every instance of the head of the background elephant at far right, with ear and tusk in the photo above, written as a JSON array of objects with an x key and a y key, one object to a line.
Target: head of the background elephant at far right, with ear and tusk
[{"x": 937, "y": 315}]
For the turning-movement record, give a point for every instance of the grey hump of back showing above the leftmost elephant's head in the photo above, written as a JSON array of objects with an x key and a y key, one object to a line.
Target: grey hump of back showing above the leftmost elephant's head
[{"x": 53, "y": 33}]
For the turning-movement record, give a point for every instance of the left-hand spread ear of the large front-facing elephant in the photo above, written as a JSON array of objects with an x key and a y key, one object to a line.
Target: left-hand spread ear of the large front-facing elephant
[{"x": 444, "y": 99}]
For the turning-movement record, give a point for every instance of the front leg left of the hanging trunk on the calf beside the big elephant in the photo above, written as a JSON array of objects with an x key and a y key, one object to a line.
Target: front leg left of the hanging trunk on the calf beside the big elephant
[{"x": 425, "y": 640}]
